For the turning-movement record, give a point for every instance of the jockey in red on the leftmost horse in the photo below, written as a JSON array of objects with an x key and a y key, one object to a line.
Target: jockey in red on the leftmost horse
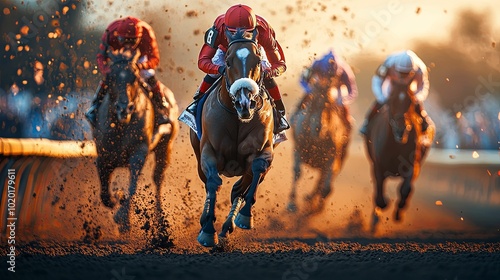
[{"x": 132, "y": 34}]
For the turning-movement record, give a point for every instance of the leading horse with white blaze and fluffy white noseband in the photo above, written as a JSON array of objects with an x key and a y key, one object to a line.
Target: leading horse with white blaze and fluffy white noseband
[{"x": 236, "y": 140}]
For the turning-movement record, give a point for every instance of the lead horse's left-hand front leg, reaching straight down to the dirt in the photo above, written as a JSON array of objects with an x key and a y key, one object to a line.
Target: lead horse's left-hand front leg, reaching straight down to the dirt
[{"x": 208, "y": 236}]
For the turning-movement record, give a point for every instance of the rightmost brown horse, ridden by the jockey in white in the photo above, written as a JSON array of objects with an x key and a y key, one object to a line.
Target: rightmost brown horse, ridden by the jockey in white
[{"x": 393, "y": 146}]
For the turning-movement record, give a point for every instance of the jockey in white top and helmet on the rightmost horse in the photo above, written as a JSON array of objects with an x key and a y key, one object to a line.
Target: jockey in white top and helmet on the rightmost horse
[{"x": 406, "y": 68}]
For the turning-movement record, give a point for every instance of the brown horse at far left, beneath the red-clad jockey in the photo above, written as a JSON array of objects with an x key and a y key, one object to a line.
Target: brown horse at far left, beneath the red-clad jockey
[{"x": 124, "y": 135}]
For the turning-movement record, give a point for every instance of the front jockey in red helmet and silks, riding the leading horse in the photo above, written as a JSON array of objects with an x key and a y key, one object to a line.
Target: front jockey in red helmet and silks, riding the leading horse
[{"x": 211, "y": 59}]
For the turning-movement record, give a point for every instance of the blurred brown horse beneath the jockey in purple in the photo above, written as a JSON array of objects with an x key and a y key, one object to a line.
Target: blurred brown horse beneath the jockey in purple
[{"x": 321, "y": 134}]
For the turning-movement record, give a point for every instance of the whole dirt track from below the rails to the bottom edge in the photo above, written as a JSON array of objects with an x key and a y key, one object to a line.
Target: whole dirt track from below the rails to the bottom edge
[{"x": 60, "y": 210}]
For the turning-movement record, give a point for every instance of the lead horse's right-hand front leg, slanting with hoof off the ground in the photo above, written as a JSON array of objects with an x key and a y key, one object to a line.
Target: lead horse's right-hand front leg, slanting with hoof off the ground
[{"x": 244, "y": 219}]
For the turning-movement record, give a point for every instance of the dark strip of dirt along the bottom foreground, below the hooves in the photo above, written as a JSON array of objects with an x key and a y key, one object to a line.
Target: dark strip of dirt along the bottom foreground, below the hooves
[{"x": 299, "y": 259}]
